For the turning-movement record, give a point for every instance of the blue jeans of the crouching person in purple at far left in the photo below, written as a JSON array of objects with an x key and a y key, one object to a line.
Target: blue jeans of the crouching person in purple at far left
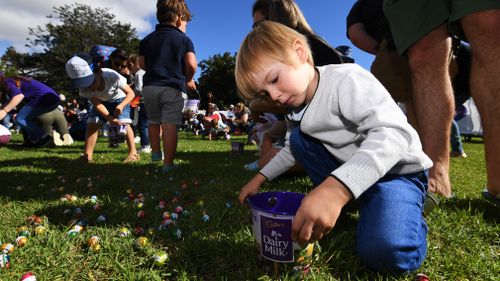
[{"x": 26, "y": 119}]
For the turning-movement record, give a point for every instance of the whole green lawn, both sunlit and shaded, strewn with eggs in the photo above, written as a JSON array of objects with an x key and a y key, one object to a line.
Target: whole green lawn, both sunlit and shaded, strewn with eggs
[{"x": 464, "y": 241}]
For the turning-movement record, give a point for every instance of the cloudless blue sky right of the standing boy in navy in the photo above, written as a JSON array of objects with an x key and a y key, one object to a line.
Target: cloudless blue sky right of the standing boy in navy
[{"x": 220, "y": 26}]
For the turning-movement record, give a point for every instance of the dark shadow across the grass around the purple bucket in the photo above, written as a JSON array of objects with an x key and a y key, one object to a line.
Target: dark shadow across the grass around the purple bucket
[{"x": 221, "y": 247}]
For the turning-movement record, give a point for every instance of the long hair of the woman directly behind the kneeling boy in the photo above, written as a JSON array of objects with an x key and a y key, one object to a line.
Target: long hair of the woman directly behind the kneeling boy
[{"x": 286, "y": 12}]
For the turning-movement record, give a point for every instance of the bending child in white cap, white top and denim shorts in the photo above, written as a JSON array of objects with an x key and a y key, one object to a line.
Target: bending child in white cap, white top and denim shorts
[{"x": 109, "y": 93}]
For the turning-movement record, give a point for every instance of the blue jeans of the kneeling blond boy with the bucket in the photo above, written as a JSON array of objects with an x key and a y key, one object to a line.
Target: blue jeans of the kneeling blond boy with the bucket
[{"x": 391, "y": 232}]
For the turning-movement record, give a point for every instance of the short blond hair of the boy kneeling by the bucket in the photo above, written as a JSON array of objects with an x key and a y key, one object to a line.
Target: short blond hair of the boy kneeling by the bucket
[{"x": 268, "y": 41}]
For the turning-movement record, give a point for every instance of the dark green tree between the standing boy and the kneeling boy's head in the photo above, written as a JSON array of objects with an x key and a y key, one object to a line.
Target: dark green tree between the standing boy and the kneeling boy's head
[{"x": 217, "y": 76}]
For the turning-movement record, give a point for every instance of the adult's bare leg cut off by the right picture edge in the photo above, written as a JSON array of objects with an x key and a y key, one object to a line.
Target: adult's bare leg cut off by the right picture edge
[{"x": 482, "y": 31}]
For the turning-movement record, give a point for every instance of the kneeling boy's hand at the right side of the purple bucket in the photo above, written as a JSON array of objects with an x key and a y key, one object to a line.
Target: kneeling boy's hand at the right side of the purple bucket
[{"x": 319, "y": 211}]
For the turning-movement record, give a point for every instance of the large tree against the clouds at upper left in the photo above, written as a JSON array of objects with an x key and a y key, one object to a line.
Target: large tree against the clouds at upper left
[{"x": 80, "y": 27}]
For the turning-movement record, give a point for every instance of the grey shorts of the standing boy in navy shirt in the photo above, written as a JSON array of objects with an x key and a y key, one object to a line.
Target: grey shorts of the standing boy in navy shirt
[{"x": 164, "y": 104}]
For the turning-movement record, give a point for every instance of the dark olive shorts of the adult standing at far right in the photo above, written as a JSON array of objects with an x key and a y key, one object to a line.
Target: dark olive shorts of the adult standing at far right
[{"x": 410, "y": 20}]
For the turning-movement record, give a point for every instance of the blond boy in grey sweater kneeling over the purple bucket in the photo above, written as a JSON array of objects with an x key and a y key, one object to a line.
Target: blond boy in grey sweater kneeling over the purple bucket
[{"x": 352, "y": 140}]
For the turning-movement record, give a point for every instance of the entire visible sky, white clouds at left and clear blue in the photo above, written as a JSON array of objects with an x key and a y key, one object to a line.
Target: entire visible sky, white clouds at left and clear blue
[{"x": 217, "y": 26}]
